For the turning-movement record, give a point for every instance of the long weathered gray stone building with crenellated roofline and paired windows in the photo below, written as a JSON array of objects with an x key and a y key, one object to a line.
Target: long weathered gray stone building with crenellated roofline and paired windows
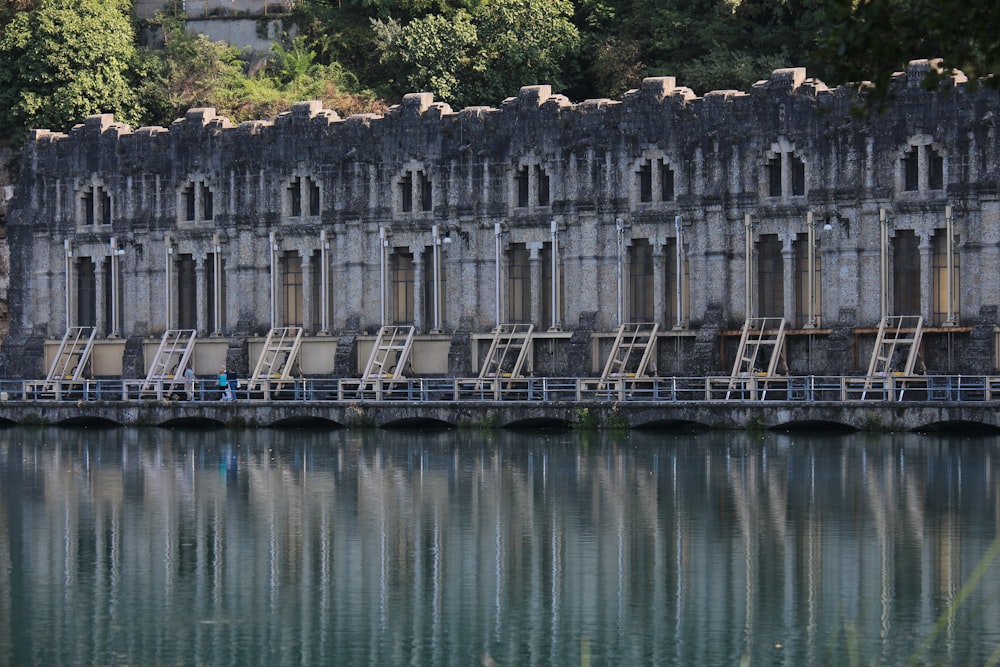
[{"x": 696, "y": 213}]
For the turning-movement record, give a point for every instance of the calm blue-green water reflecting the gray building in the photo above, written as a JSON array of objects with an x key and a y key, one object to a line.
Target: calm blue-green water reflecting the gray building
[{"x": 382, "y": 548}]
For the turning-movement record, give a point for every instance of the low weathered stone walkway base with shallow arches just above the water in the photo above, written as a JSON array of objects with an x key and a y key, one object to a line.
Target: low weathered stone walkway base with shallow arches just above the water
[{"x": 866, "y": 415}]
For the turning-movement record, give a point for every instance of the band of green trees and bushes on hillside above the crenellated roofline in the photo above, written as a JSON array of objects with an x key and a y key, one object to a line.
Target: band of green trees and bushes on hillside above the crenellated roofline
[{"x": 61, "y": 60}]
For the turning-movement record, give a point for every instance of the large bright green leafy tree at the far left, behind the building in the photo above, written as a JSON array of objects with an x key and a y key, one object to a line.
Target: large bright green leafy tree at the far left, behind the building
[{"x": 62, "y": 60}]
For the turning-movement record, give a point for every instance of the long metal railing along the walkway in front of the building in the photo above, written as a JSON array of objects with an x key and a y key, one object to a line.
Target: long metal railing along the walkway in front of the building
[{"x": 805, "y": 388}]
